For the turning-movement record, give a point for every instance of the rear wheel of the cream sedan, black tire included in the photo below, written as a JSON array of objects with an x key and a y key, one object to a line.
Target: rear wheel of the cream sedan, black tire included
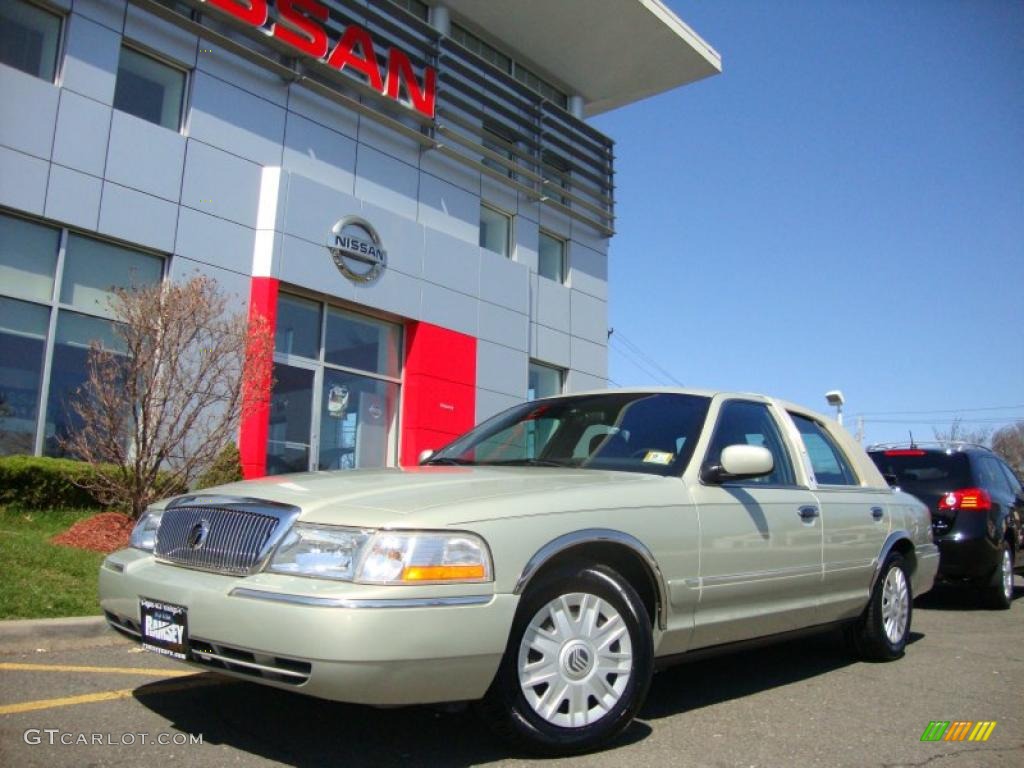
[{"x": 869, "y": 636}]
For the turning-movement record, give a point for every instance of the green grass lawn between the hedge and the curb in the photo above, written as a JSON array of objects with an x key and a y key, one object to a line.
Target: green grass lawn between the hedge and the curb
[{"x": 42, "y": 580}]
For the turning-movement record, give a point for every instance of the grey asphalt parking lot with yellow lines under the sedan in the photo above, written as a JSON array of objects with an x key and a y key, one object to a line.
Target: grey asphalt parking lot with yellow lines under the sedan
[{"x": 799, "y": 704}]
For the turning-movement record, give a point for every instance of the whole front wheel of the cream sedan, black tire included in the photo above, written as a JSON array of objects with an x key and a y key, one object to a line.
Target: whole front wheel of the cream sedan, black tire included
[{"x": 506, "y": 708}]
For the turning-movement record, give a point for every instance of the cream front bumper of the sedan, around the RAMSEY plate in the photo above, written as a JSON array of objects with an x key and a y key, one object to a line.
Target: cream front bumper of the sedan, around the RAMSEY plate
[{"x": 340, "y": 642}]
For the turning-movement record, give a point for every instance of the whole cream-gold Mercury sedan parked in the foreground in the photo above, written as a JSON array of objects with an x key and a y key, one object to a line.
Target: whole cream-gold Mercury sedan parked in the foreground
[{"x": 540, "y": 566}]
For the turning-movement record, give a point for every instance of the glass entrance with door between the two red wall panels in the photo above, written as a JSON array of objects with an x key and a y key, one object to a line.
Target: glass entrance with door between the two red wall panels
[{"x": 335, "y": 399}]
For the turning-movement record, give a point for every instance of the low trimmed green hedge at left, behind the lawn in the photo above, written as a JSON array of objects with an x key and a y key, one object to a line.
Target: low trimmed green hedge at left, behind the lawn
[{"x": 41, "y": 483}]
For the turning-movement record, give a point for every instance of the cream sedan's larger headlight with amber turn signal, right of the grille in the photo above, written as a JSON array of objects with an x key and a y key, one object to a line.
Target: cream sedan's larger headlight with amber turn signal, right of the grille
[{"x": 382, "y": 558}]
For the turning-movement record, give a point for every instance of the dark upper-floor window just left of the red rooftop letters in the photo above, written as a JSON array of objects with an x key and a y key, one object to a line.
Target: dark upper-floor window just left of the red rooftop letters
[{"x": 150, "y": 90}]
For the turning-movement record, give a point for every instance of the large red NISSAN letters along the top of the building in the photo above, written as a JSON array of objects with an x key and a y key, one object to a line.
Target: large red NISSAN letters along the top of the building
[{"x": 300, "y": 26}]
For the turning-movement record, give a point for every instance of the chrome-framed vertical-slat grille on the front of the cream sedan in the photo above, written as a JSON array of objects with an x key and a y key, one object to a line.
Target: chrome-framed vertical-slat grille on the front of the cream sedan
[{"x": 234, "y": 541}]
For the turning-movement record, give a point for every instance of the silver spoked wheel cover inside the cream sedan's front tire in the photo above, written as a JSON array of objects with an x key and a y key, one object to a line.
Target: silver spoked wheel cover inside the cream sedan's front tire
[{"x": 576, "y": 659}]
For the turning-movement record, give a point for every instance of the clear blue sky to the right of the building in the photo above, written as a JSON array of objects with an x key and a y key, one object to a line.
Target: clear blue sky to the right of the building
[{"x": 842, "y": 208}]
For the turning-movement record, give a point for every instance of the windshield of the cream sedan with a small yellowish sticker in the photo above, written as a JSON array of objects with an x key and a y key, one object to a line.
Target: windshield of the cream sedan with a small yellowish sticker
[{"x": 629, "y": 432}]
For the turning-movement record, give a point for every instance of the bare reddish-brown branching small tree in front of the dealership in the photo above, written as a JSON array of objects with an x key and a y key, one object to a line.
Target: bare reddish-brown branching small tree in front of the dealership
[{"x": 162, "y": 407}]
